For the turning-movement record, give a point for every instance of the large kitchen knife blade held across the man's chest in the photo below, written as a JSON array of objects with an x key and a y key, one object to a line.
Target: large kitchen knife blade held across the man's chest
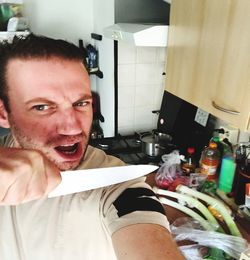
[{"x": 82, "y": 180}]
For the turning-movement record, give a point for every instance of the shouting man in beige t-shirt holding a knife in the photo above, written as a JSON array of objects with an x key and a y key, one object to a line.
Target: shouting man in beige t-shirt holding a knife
[{"x": 45, "y": 100}]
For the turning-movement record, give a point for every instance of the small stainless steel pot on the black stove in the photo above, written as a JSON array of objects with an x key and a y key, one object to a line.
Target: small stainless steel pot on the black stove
[{"x": 151, "y": 144}]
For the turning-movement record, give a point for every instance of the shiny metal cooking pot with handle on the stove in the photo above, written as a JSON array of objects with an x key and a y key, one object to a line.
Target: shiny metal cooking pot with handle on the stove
[{"x": 154, "y": 144}]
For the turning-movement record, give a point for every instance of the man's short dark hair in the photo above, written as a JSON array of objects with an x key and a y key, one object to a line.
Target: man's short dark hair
[{"x": 32, "y": 47}]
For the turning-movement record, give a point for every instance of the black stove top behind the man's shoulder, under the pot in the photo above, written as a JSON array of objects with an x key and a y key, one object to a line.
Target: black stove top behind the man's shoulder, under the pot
[{"x": 127, "y": 148}]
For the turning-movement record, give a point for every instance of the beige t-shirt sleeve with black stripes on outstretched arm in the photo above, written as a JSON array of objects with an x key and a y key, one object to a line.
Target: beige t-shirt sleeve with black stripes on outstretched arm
[{"x": 129, "y": 203}]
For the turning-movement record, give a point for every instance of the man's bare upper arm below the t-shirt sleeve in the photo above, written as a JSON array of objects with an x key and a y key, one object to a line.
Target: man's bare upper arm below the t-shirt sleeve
[{"x": 145, "y": 242}]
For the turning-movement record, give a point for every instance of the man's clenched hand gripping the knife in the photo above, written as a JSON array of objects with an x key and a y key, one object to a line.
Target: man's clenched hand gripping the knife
[{"x": 25, "y": 175}]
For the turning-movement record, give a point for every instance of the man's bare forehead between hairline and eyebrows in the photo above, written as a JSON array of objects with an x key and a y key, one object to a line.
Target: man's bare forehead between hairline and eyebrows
[{"x": 48, "y": 76}]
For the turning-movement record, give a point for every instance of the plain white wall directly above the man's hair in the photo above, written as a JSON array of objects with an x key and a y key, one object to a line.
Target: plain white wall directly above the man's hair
[{"x": 70, "y": 20}]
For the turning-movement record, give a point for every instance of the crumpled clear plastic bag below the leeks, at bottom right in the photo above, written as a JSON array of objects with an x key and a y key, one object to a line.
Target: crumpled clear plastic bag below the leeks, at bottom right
[{"x": 189, "y": 229}]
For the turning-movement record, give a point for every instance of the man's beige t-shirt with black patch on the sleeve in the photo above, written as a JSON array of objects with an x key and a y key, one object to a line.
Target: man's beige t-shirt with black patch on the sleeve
[{"x": 77, "y": 226}]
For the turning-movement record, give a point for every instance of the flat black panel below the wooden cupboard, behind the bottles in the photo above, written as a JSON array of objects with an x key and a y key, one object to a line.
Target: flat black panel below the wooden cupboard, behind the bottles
[{"x": 176, "y": 118}]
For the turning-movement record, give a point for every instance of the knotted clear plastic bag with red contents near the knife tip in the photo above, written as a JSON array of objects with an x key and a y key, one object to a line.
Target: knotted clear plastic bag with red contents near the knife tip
[{"x": 170, "y": 171}]
